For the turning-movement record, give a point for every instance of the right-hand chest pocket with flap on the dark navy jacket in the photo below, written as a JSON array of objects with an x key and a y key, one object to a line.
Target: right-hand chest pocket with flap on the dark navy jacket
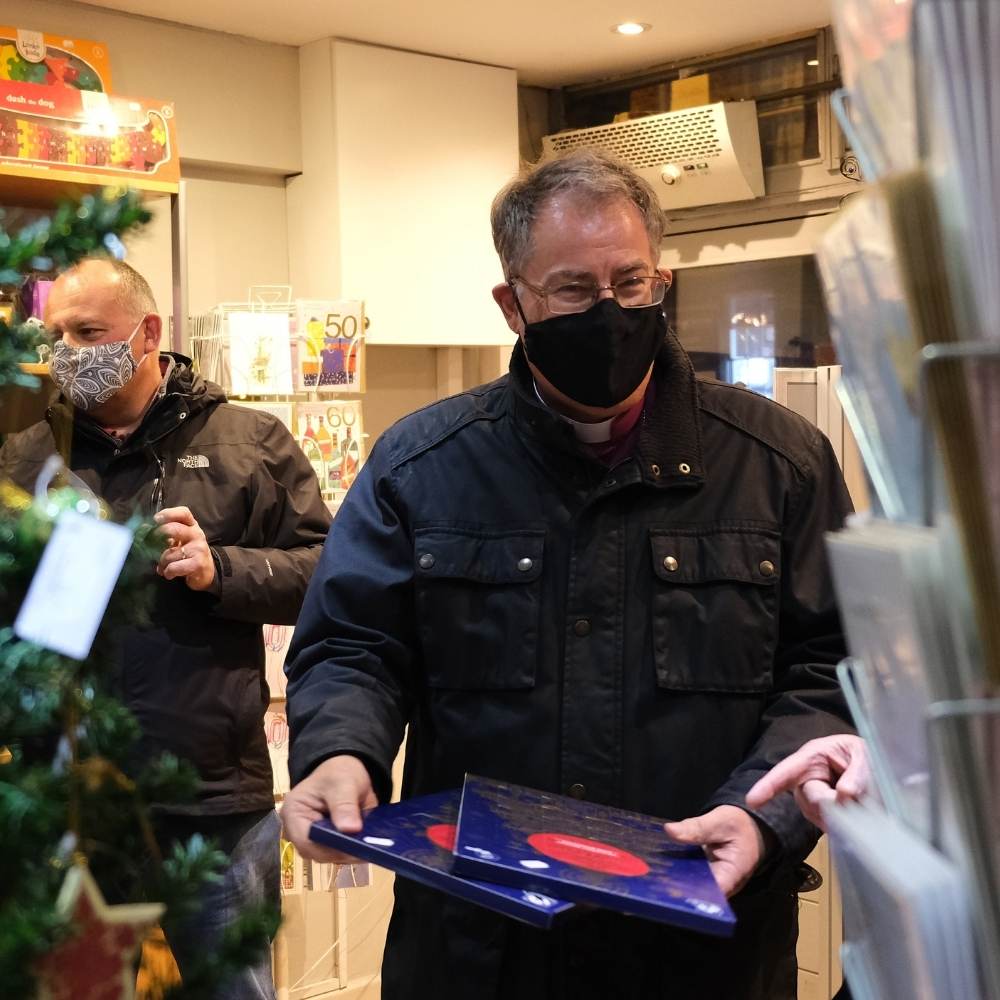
[{"x": 715, "y": 609}]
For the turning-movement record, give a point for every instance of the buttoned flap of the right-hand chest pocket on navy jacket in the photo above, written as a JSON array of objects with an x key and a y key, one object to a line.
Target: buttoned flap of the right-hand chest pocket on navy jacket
[{"x": 691, "y": 558}]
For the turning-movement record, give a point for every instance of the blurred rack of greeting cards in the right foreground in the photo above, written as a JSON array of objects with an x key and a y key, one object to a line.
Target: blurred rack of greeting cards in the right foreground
[{"x": 911, "y": 271}]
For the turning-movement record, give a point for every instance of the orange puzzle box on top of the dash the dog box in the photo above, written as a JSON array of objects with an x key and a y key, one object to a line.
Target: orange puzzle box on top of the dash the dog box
[{"x": 53, "y": 60}]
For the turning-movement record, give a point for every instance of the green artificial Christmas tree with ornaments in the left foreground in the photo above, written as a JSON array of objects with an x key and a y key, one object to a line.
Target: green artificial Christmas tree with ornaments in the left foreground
[{"x": 80, "y": 852}]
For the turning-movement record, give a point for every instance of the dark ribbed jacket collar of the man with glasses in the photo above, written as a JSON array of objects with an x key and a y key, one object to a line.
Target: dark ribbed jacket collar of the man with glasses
[{"x": 669, "y": 452}]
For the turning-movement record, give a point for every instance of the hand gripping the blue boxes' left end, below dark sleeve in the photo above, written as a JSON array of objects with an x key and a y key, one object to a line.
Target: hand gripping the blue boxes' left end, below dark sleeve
[{"x": 339, "y": 788}]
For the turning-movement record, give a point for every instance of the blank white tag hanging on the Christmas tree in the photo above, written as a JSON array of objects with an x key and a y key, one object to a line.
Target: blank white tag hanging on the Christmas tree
[{"x": 70, "y": 590}]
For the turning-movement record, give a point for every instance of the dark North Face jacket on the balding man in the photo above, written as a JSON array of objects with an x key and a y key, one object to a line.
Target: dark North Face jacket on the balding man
[{"x": 195, "y": 677}]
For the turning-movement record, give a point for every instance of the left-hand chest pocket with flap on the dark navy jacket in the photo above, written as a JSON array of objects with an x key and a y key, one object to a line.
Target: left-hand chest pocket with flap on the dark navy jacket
[{"x": 478, "y": 607}]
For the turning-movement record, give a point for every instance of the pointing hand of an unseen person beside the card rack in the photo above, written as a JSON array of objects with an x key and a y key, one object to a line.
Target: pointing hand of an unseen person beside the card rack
[{"x": 829, "y": 769}]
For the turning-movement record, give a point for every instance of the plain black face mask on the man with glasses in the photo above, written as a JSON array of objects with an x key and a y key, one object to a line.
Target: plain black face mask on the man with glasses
[{"x": 598, "y": 357}]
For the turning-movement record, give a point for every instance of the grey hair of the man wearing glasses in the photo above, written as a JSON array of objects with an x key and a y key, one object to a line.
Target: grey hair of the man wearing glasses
[{"x": 593, "y": 175}]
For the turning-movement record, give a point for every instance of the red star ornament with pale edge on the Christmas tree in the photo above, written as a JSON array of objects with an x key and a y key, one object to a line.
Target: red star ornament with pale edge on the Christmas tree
[{"x": 97, "y": 961}]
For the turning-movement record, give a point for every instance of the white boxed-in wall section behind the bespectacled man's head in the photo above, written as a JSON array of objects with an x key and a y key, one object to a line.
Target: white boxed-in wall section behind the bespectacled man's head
[{"x": 403, "y": 154}]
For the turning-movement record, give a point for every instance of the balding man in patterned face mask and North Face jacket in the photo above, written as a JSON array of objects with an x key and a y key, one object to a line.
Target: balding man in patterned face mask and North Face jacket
[{"x": 242, "y": 512}]
